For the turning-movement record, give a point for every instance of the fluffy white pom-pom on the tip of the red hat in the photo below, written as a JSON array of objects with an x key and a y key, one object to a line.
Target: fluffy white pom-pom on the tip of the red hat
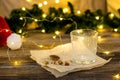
[{"x": 14, "y": 41}]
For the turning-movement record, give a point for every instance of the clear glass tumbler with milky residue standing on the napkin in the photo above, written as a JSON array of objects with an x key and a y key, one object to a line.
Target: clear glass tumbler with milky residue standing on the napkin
[{"x": 84, "y": 45}]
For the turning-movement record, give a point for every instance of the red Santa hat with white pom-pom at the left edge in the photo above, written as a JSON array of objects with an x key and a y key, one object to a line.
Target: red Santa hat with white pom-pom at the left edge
[{"x": 7, "y": 37}]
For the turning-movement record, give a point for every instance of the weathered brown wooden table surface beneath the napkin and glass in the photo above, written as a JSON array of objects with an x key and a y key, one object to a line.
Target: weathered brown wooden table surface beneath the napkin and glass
[{"x": 19, "y": 65}]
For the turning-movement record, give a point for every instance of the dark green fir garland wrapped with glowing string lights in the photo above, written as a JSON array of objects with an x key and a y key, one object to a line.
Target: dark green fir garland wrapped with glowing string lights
[{"x": 60, "y": 19}]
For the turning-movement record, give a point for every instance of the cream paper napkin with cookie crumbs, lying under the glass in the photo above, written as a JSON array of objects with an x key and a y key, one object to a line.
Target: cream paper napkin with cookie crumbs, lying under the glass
[{"x": 65, "y": 62}]
